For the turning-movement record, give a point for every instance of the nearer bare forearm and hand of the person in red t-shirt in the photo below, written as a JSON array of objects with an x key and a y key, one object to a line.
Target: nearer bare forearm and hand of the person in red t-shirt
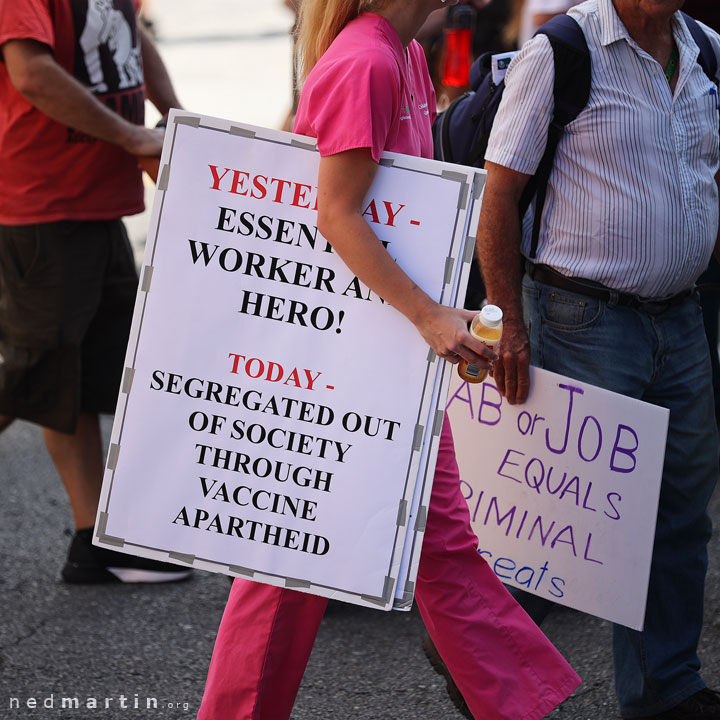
[{"x": 35, "y": 75}]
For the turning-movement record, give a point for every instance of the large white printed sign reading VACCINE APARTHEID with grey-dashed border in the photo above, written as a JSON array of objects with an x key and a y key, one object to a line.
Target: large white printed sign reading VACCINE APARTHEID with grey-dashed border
[{"x": 274, "y": 409}]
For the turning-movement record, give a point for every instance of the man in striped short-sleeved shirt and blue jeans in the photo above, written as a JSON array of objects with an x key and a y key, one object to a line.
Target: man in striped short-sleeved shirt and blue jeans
[{"x": 630, "y": 221}]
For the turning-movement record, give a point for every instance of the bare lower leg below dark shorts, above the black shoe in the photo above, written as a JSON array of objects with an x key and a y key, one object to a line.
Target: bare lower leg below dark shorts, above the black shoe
[{"x": 79, "y": 462}]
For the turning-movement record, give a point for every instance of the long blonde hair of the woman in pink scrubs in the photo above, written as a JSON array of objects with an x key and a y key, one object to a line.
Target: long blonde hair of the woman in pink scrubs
[{"x": 319, "y": 23}]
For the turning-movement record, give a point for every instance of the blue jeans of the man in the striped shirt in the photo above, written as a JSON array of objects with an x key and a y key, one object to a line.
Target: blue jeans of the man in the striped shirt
[{"x": 661, "y": 359}]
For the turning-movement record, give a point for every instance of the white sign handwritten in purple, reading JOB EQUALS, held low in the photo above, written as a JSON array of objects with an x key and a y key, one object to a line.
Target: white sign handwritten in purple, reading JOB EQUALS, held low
[{"x": 563, "y": 490}]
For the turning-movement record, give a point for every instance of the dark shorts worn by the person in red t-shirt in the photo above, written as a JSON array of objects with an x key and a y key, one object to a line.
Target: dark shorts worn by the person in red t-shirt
[{"x": 67, "y": 292}]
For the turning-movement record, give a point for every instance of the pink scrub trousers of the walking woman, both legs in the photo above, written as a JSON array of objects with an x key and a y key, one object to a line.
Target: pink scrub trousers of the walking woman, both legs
[{"x": 504, "y": 666}]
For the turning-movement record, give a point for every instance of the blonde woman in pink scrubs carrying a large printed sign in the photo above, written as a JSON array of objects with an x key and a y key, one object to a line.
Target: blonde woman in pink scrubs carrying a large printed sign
[{"x": 367, "y": 90}]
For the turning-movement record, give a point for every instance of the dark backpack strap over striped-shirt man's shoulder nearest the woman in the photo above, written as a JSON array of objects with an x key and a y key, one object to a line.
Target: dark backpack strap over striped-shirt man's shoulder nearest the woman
[{"x": 571, "y": 93}]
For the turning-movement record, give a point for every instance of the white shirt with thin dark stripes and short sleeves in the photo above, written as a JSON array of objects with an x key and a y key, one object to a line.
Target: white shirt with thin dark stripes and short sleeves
[{"x": 632, "y": 200}]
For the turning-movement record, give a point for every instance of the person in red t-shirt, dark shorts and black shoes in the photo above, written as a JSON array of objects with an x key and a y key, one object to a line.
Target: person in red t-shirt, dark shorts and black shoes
[{"x": 72, "y": 91}]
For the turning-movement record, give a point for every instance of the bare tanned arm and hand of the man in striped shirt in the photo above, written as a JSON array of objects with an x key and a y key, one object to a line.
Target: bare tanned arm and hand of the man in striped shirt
[{"x": 498, "y": 247}]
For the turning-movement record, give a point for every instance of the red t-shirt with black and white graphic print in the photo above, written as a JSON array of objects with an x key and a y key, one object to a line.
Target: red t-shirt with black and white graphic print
[{"x": 50, "y": 172}]
